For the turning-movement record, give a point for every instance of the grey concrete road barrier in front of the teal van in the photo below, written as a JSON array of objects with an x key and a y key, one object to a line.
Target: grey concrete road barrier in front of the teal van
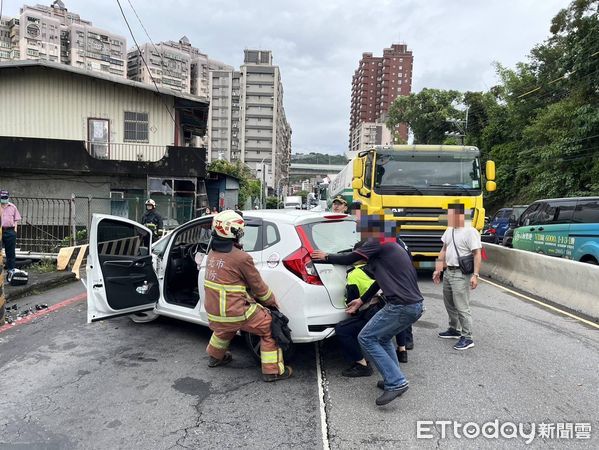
[{"x": 568, "y": 283}]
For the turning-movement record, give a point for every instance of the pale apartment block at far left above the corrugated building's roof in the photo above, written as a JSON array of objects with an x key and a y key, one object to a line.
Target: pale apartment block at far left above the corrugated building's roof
[{"x": 55, "y": 34}]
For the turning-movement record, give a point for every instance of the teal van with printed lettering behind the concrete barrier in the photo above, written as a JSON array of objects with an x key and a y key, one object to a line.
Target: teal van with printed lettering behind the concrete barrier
[{"x": 563, "y": 227}]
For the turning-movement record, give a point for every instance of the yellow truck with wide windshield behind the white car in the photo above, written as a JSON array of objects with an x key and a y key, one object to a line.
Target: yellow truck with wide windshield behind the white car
[{"x": 413, "y": 185}]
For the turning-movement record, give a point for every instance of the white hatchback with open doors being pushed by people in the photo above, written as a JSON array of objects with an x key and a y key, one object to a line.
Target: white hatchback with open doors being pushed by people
[{"x": 125, "y": 278}]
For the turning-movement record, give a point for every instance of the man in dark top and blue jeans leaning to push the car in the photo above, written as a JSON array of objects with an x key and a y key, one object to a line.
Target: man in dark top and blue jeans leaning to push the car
[{"x": 395, "y": 274}]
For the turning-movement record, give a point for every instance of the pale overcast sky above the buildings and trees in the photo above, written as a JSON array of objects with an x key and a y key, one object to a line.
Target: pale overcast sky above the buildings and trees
[{"x": 318, "y": 43}]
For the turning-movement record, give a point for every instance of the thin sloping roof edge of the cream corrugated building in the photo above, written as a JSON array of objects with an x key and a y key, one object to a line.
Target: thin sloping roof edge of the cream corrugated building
[{"x": 101, "y": 76}]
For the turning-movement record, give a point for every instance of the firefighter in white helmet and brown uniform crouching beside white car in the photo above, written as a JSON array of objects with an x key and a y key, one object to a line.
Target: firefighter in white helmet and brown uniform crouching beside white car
[{"x": 235, "y": 294}]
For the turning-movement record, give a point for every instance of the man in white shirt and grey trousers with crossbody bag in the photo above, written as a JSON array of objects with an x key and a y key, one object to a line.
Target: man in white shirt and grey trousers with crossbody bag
[{"x": 456, "y": 285}]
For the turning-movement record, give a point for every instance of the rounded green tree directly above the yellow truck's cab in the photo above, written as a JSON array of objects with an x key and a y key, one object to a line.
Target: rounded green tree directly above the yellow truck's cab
[{"x": 427, "y": 114}]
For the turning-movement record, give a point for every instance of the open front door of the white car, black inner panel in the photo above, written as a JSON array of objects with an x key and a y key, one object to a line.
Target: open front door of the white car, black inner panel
[{"x": 120, "y": 276}]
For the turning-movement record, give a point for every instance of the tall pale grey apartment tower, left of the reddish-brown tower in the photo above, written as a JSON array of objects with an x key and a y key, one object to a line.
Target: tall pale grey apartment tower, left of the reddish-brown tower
[{"x": 247, "y": 119}]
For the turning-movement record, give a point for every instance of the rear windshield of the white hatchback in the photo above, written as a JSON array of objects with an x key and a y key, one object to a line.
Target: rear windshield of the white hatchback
[{"x": 332, "y": 236}]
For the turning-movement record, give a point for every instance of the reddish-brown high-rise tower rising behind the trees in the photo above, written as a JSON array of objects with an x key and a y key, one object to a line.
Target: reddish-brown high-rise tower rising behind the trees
[{"x": 376, "y": 83}]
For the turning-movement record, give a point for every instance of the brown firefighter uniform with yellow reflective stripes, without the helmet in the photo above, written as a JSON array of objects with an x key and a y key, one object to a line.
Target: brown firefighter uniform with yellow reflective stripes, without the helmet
[{"x": 231, "y": 284}]
